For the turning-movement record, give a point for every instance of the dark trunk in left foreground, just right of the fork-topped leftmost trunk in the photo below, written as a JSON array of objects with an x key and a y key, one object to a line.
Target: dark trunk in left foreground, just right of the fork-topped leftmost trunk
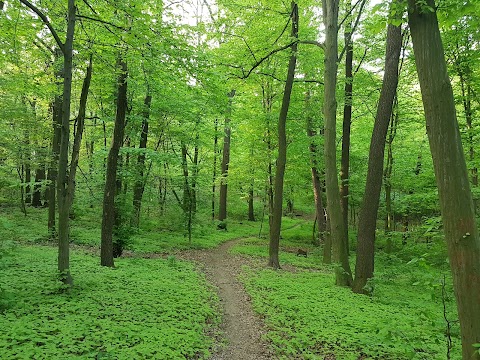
[{"x": 108, "y": 217}]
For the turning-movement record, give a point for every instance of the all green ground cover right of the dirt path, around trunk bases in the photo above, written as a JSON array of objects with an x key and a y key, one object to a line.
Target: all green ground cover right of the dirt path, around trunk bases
[{"x": 309, "y": 317}]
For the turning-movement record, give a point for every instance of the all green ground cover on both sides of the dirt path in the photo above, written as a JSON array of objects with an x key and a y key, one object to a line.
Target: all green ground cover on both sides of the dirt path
[{"x": 146, "y": 307}]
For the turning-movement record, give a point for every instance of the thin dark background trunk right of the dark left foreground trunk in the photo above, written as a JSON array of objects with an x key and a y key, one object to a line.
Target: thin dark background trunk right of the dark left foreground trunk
[{"x": 139, "y": 186}]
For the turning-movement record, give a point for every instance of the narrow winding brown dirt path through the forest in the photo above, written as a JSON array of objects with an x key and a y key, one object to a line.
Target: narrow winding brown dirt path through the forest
[{"x": 243, "y": 329}]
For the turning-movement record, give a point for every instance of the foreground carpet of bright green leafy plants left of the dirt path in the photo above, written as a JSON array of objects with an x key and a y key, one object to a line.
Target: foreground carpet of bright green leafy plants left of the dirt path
[{"x": 143, "y": 309}]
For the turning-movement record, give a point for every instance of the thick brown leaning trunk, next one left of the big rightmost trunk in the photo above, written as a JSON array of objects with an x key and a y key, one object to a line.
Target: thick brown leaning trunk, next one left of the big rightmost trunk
[{"x": 368, "y": 214}]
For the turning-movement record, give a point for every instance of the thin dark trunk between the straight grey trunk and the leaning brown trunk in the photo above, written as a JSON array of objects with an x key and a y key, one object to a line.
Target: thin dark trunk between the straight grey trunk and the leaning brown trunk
[{"x": 347, "y": 121}]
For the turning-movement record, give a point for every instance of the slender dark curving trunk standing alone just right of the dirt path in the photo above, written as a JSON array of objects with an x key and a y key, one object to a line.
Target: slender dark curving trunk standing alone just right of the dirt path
[{"x": 273, "y": 260}]
